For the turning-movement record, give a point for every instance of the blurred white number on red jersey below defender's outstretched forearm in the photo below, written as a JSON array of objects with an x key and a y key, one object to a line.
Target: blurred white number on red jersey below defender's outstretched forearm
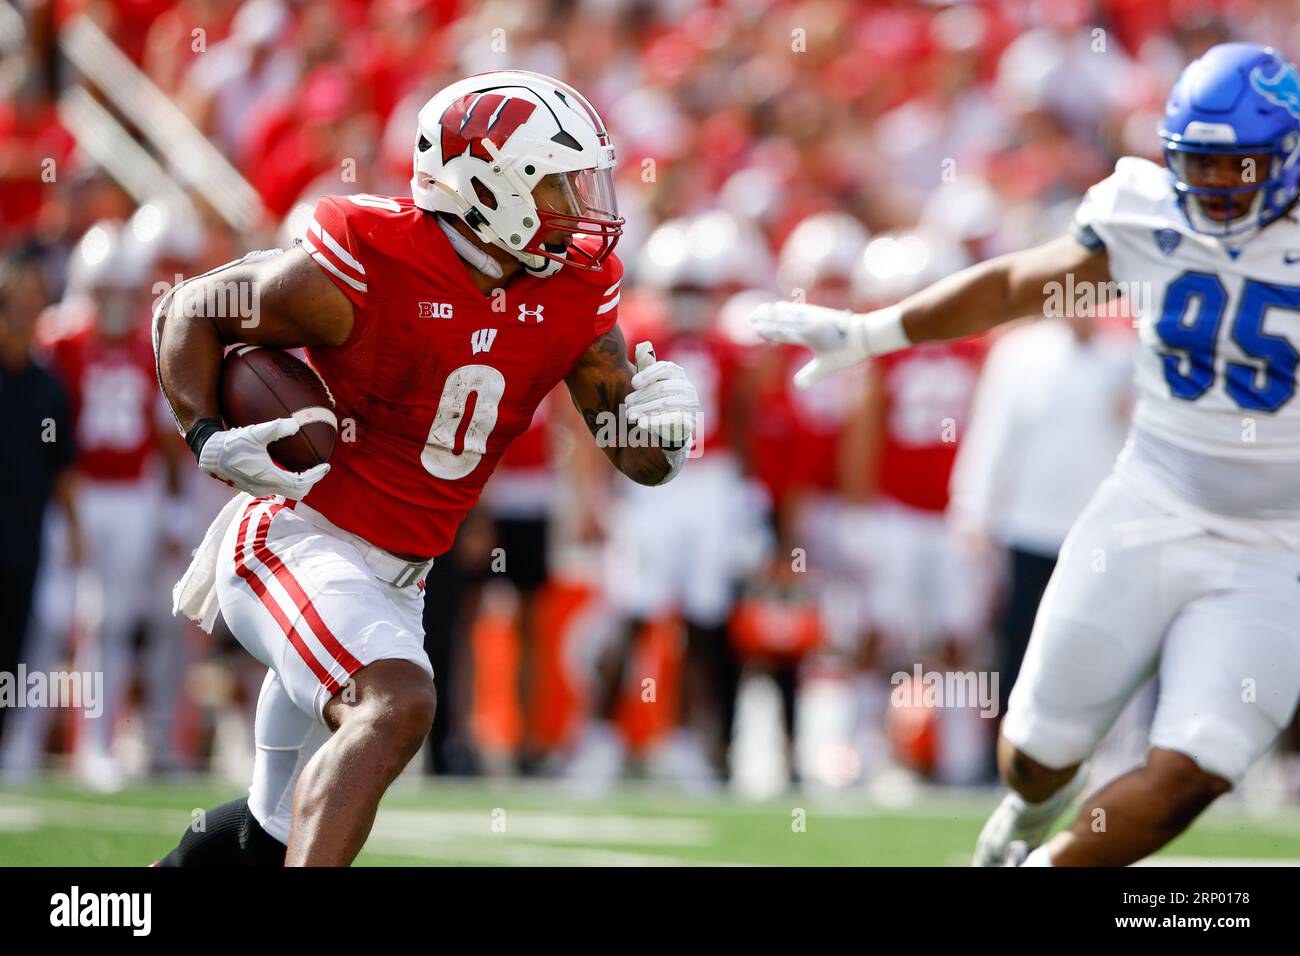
[{"x": 928, "y": 393}]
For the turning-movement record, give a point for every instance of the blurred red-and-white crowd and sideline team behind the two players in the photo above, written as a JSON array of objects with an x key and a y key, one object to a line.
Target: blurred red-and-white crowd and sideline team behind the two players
[{"x": 765, "y": 618}]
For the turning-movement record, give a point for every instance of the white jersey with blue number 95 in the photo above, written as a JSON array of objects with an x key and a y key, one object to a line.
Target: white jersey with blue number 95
[{"x": 1219, "y": 327}]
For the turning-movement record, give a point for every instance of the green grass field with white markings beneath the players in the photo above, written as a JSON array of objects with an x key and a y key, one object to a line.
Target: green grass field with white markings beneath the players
[{"x": 509, "y": 824}]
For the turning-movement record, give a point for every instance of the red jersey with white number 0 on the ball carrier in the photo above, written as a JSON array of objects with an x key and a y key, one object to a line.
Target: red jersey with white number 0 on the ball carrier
[{"x": 436, "y": 378}]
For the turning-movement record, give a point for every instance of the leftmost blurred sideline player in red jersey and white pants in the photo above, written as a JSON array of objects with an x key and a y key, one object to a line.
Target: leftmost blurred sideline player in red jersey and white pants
[{"x": 102, "y": 353}]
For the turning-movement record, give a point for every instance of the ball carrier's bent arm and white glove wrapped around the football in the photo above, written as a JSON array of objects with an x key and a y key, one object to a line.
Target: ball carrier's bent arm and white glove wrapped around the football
[{"x": 293, "y": 305}]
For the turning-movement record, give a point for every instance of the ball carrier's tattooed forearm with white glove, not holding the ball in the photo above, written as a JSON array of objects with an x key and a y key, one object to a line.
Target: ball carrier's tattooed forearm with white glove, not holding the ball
[{"x": 613, "y": 397}]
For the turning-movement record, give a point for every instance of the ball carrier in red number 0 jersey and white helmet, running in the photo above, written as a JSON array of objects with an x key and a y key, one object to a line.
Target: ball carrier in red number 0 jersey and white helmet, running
[{"x": 439, "y": 323}]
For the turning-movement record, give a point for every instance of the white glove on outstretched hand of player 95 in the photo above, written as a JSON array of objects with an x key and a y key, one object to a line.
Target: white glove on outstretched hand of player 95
[{"x": 838, "y": 338}]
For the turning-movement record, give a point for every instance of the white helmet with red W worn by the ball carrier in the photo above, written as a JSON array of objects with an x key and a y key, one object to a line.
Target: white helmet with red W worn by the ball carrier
[{"x": 487, "y": 142}]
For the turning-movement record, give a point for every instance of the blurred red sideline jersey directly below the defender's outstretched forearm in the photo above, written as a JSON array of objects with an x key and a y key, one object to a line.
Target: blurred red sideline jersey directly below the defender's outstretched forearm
[{"x": 928, "y": 399}]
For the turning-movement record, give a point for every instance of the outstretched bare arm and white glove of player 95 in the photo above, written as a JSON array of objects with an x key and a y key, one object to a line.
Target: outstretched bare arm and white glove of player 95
[{"x": 965, "y": 304}]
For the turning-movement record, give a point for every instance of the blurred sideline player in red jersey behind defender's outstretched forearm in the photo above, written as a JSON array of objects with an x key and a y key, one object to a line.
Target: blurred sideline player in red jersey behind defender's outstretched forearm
[{"x": 899, "y": 451}]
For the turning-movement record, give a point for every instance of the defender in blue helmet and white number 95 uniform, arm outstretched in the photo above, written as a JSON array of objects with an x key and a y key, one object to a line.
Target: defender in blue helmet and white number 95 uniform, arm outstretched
[{"x": 1188, "y": 560}]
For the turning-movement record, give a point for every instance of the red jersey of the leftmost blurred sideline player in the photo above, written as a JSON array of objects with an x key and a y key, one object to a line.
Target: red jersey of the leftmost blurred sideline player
[{"x": 115, "y": 403}]
